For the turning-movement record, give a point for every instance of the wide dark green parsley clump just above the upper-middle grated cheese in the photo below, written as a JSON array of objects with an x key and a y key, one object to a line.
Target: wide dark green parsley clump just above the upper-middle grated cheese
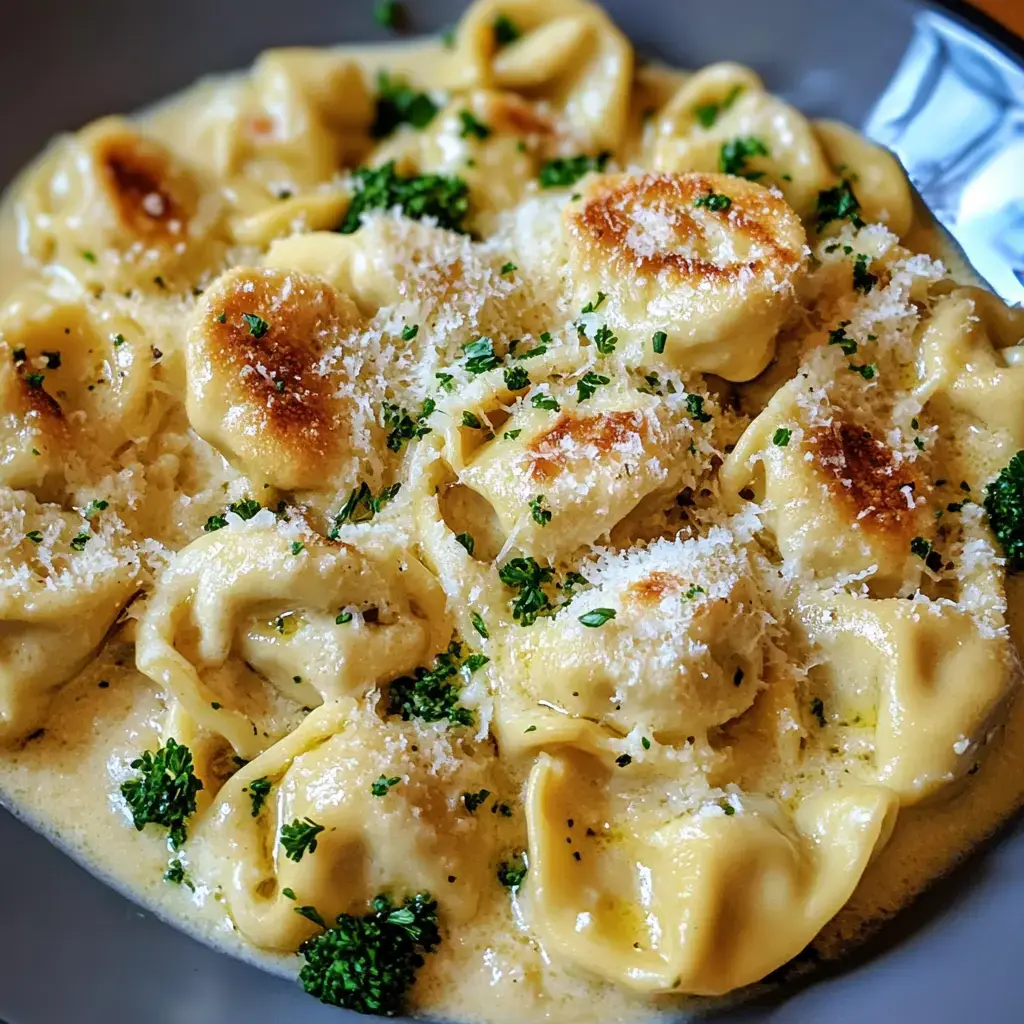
[{"x": 444, "y": 199}]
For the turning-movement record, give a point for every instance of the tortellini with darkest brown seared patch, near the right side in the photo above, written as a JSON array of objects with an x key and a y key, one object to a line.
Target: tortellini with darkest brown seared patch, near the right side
[{"x": 831, "y": 478}]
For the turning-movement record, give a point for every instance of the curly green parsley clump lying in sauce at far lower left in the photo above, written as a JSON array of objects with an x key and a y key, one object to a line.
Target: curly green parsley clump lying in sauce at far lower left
[{"x": 163, "y": 792}]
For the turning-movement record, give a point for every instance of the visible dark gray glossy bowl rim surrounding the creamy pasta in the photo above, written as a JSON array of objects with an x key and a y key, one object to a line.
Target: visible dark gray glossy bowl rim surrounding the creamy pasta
[{"x": 942, "y": 87}]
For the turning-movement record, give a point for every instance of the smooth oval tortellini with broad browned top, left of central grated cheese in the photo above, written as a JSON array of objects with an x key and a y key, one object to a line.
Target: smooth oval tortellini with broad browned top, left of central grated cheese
[{"x": 258, "y": 390}]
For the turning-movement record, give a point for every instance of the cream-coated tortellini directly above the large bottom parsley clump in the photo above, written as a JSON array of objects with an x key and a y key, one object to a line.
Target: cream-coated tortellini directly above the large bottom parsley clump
[{"x": 416, "y": 836}]
